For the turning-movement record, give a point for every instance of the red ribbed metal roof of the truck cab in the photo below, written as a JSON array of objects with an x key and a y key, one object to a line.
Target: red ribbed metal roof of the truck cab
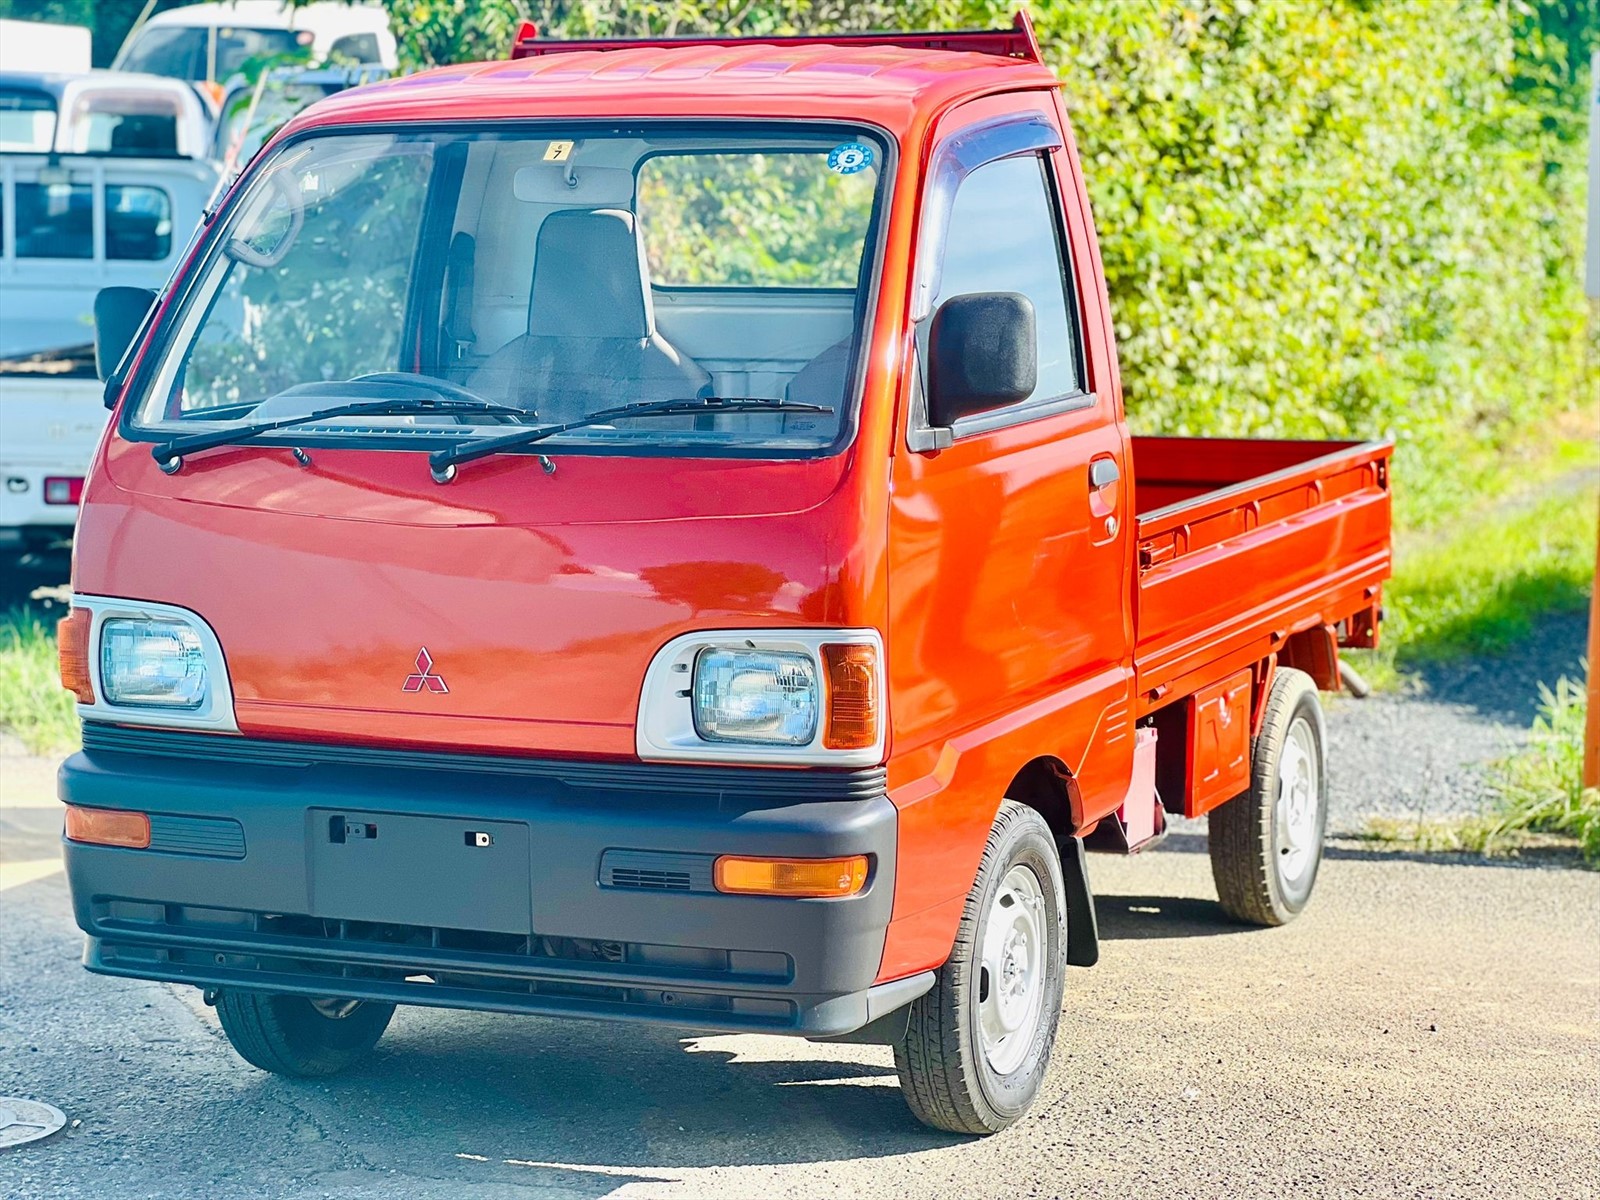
[{"x": 854, "y": 78}]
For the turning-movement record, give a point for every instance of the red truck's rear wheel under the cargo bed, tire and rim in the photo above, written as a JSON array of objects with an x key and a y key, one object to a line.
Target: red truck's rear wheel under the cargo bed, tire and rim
[{"x": 1266, "y": 844}]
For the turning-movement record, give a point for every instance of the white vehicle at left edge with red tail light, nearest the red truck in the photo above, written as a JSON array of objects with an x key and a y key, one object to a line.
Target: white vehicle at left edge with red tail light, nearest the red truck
[{"x": 74, "y": 223}]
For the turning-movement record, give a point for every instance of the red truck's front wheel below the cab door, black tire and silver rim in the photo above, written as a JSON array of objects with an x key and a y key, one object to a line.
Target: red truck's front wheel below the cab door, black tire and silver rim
[{"x": 956, "y": 1074}]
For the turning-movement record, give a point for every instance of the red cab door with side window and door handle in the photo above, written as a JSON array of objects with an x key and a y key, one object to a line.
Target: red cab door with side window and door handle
[{"x": 1010, "y": 530}]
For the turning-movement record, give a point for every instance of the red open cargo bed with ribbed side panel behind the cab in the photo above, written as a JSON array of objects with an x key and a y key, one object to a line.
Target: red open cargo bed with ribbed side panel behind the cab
[{"x": 1246, "y": 543}]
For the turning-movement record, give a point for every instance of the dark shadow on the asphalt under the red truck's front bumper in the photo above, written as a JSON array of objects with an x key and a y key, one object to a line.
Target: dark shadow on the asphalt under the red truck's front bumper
[{"x": 588, "y": 1108}]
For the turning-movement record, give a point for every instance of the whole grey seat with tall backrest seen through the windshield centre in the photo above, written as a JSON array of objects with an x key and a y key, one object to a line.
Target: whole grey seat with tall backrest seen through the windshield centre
[{"x": 593, "y": 338}]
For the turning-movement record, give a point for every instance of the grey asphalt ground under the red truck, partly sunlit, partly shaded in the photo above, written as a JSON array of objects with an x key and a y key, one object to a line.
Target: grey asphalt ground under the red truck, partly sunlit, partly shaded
[{"x": 1426, "y": 1030}]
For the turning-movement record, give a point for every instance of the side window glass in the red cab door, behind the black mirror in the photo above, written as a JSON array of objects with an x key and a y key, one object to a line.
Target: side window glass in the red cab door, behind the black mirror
[{"x": 1004, "y": 236}]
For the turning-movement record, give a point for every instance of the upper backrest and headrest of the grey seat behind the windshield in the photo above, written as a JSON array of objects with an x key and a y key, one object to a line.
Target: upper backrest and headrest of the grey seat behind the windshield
[{"x": 590, "y": 278}]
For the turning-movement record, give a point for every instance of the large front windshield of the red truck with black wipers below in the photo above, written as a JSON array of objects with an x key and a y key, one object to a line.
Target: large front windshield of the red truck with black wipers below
[{"x": 559, "y": 273}]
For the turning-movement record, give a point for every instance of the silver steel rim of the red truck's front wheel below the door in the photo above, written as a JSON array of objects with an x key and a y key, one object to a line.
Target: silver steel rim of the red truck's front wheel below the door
[{"x": 1012, "y": 982}]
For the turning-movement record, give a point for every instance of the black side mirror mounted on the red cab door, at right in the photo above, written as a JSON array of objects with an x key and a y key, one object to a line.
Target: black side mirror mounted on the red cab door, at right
[{"x": 983, "y": 354}]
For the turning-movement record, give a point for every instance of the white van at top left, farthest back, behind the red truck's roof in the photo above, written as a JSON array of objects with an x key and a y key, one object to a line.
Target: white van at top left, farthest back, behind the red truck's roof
[{"x": 214, "y": 44}]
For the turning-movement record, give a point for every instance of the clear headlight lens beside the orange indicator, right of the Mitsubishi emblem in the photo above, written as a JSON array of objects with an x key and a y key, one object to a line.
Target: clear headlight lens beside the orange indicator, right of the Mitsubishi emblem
[{"x": 766, "y": 697}]
